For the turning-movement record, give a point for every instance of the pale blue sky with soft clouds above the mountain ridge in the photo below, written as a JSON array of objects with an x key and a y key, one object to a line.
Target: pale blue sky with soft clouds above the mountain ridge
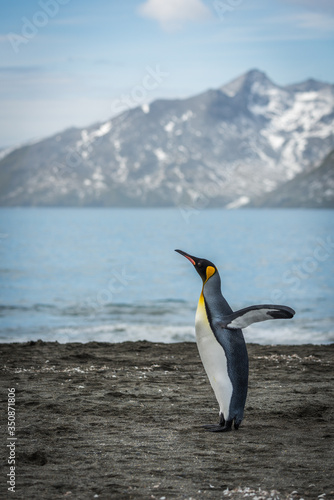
[{"x": 70, "y": 63}]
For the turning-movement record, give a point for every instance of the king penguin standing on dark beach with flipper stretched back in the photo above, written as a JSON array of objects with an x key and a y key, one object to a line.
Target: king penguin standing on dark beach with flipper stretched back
[{"x": 221, "y": 343}]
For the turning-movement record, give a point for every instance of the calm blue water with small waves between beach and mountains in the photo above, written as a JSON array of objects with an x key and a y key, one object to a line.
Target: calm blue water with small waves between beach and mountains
[{"x": 112, "y": 275}]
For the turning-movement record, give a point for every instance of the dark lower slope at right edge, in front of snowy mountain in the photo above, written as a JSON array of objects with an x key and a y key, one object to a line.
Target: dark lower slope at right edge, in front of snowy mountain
[{"x": 311, "y": 189}]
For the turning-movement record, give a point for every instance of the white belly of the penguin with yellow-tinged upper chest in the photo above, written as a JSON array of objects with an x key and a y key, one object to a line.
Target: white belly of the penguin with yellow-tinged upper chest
[{"x": 214, "y": 359}]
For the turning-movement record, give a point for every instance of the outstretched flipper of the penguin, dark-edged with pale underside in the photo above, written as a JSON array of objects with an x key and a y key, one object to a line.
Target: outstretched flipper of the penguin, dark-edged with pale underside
[{"x": 253, "y": 314}]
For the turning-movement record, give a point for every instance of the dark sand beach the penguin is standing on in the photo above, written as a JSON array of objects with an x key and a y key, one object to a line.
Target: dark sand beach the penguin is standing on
[{"x": 123, "y": 421}]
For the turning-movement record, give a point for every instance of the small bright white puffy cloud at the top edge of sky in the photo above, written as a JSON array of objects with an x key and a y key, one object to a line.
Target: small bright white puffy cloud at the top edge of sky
[{"x": 172, "y": 14}]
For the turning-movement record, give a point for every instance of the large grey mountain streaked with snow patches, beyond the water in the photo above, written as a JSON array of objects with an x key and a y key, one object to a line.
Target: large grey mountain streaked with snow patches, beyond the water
[{"x": 223, "y": 147}]
